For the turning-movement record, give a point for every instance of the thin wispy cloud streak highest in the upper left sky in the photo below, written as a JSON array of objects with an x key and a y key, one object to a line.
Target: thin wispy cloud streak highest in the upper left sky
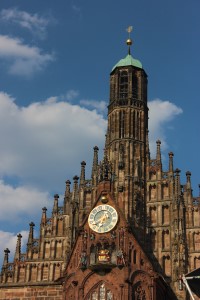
[{"x": 36, "y": 24}]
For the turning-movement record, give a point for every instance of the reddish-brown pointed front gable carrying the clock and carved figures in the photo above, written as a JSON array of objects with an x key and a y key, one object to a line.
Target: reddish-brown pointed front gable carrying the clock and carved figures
[{"x": 105, "y": 255}]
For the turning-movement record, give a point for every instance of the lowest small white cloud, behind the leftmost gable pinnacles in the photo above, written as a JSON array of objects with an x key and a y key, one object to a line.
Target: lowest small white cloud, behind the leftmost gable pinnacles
[{"x": 8, "y": 240}]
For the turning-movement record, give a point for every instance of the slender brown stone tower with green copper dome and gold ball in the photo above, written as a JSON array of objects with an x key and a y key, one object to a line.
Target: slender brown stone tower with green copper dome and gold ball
[{"x": 127, "y": 138}]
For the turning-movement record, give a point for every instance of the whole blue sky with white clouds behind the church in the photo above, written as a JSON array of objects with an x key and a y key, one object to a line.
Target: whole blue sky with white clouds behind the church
[{"x": 55, "y": 62}]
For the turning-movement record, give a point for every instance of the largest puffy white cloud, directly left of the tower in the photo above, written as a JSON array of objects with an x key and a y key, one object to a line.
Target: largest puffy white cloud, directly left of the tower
[{"x": 45, "y": 142}]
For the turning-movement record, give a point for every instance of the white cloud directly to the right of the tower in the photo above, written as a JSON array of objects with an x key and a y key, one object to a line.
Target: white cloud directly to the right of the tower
[{"x": 160, "y": 113}]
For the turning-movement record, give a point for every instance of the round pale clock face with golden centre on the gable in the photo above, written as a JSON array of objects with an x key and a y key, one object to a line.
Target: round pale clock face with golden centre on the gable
[{"x": 103, "y": 218}]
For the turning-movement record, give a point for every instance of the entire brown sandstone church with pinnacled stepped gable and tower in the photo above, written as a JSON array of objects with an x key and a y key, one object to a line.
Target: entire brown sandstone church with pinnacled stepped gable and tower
[{"x": 129, "y": 232}]
